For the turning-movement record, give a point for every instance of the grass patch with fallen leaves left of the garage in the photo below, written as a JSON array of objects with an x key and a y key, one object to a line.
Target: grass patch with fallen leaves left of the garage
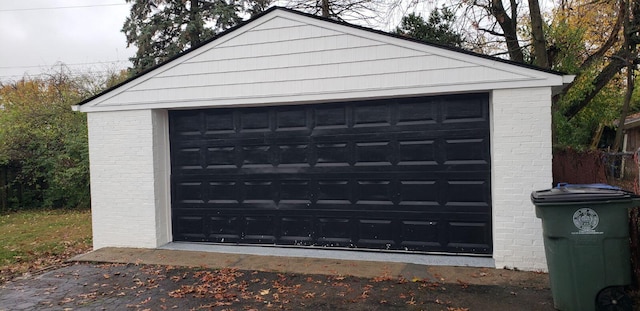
[{"x": 33, "y": 240}]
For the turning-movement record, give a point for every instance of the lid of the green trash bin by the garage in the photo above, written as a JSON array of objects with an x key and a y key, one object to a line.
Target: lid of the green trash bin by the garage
[{"x": 567, "y": 193}]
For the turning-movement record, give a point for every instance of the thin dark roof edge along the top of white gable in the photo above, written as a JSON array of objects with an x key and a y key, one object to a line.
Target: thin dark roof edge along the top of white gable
[{"x": 380, "y": 32}]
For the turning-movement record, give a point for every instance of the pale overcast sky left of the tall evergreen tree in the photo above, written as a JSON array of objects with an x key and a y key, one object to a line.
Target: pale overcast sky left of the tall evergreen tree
[{"x": 37, "y": 35}]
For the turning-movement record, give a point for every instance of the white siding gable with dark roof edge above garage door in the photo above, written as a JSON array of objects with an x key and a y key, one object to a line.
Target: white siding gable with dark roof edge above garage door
[{"x": 284, "y": 56}]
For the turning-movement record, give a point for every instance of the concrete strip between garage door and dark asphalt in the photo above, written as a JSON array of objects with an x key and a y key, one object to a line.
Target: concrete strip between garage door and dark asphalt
[{"x": 206, "y": 257}]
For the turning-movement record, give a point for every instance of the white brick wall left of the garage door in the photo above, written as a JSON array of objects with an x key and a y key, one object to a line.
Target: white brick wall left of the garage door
[{"x": 129, "y": 196}]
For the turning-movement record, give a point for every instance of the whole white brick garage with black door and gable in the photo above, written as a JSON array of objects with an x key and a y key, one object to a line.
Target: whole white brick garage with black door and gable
[{"x": 320, "y": 138}]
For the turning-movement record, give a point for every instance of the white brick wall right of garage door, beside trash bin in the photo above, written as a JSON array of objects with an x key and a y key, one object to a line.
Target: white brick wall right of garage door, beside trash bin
[{"x": 521, "y": 163}]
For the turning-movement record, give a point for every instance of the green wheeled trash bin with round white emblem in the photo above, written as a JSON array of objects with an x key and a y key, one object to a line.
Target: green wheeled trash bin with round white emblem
[{"x": 586, "y": 241}]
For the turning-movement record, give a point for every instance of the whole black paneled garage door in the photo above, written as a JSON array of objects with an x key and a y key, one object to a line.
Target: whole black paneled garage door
[{"x": 400, "y": 174}]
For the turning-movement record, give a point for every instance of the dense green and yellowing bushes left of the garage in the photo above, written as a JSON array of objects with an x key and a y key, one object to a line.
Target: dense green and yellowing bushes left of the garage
[{"x": 43, "y": 143}]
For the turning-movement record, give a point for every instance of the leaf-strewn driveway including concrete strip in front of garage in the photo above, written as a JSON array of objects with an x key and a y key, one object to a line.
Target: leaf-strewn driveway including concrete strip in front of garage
[{"x": 131, "y": 279}]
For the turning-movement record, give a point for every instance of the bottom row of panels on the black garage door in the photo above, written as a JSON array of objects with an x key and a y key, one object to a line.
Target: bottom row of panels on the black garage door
[{"x": 399, "y": 233}]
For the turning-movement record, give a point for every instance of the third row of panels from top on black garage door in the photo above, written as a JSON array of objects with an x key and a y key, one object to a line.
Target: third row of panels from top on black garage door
[{"x": 470, "y": 189}]
